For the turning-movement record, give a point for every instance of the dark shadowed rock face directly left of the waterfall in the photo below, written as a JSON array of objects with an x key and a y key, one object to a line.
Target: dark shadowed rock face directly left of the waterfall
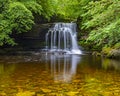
[{"x": 34, "y": 39}]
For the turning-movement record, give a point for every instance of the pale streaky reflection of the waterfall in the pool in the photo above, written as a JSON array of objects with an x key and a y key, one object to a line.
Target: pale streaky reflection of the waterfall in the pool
[{"x": 63, "y": 67}]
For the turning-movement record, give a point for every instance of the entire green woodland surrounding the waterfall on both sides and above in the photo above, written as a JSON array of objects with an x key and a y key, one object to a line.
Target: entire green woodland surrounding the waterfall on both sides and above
[{"x": 98, "y": 20}]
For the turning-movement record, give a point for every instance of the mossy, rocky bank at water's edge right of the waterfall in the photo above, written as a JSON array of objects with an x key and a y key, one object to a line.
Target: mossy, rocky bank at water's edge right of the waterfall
[{"x": 108, "y": 52}]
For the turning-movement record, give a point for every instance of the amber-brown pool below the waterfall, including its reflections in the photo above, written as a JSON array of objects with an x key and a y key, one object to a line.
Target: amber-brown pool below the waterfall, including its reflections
[{"x": 59, "y": 75}]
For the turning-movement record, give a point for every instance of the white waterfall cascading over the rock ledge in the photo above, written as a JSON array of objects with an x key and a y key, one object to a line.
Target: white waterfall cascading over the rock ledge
[{"x": 62, "y": 38}]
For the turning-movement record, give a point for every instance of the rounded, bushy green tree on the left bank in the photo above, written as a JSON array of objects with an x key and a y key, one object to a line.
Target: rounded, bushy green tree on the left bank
[{"x": 16, "y": 18}]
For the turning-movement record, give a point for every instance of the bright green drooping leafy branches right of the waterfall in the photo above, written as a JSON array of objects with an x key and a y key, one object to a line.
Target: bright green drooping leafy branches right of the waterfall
[{"x": 102, "y": 19}]
